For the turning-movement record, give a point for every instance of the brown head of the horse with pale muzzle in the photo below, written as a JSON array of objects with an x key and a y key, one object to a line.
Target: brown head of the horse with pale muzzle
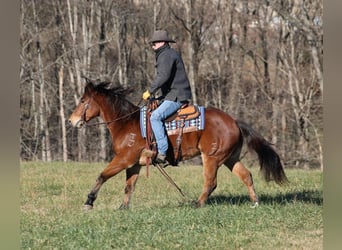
[{"x": 87, "y": 109}]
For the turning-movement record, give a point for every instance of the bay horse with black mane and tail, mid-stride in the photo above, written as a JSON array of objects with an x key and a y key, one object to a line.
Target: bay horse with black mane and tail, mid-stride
[{"x": 219, "y": 143}]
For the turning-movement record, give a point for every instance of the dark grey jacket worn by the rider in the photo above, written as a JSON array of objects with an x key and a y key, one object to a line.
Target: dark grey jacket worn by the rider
[{"x": 171, "y": 77}]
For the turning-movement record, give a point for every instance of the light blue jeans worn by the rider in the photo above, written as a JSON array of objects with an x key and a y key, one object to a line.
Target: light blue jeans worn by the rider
[{"x": 158, "y": 116}]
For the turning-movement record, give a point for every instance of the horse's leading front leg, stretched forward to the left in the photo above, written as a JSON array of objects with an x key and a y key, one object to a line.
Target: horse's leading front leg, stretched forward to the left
[{"x": 111, "y": 170}]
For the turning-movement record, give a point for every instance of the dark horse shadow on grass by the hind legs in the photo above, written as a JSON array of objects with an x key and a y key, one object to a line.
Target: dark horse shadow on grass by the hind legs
[{"x": 305, "y": 196}]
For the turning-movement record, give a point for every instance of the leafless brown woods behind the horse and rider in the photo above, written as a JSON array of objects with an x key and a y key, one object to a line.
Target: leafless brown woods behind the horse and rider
[{"x": 260, "y": 61}]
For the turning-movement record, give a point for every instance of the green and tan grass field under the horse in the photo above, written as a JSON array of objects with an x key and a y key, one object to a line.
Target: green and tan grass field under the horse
[{"x": 52, "y": 196}]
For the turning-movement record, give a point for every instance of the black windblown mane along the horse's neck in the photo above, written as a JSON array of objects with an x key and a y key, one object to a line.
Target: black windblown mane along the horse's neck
[{"x": 116, "y": 95}]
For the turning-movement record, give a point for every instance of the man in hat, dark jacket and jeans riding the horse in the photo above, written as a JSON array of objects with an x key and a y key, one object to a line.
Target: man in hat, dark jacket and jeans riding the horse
[{"x": 172, "y": 79}]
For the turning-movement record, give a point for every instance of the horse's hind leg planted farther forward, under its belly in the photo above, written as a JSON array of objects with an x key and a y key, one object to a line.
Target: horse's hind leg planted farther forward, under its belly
[{"x": 210, "y": 167}]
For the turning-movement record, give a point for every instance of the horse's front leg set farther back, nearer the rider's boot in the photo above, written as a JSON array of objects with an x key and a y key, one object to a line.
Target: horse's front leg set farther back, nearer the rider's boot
[{"x": 132, "y": 175}]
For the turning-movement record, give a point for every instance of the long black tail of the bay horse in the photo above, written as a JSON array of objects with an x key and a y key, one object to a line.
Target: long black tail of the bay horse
[{"x": 270, "y": 165}]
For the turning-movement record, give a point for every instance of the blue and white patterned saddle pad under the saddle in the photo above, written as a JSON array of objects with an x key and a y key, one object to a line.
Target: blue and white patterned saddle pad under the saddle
[{"x": 173, "y": 127}]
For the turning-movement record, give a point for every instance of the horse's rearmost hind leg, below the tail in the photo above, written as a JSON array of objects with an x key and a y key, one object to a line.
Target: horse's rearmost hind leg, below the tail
[{"x": 246, "y": 177}]
